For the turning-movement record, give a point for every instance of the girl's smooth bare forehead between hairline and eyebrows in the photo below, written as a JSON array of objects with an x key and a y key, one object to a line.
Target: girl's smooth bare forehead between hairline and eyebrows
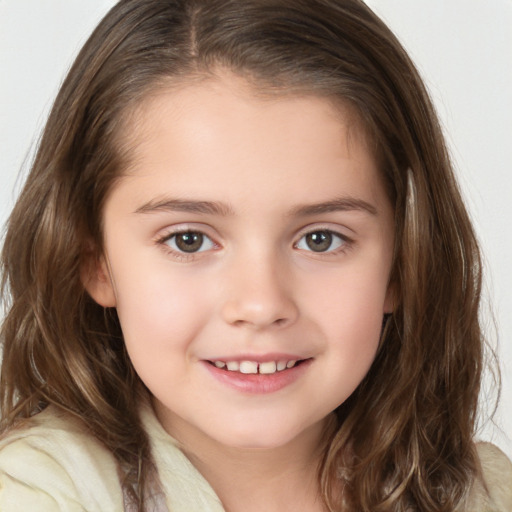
[{"x": 195, "y": 135}]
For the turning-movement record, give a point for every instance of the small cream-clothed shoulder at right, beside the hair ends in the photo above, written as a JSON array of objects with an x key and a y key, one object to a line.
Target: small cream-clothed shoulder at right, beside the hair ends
[{"x": 493, "y": 491}]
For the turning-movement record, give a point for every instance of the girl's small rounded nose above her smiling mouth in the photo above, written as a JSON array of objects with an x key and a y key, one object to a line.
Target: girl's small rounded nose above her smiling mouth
[{"x": 258, "y": 295}]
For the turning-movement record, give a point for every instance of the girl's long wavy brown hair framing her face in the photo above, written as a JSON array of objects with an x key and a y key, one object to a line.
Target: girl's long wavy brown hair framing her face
[{"x": 404, "y": 440}]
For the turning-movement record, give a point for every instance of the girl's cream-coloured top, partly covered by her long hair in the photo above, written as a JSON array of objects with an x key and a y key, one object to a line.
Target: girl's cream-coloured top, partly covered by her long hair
[{"x": 56, "y": 466}]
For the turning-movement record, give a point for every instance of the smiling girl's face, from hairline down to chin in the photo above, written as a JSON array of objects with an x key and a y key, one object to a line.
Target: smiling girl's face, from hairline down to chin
[{"x": 247, "y": 251}]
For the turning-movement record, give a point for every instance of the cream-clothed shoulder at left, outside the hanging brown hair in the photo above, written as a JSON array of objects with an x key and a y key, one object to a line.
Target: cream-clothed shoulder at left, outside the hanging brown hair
[{"x": 51, "y": 463}]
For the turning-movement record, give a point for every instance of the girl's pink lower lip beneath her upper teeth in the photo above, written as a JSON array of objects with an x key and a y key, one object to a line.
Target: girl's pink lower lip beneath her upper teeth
[{"x": 256, "y": 383}]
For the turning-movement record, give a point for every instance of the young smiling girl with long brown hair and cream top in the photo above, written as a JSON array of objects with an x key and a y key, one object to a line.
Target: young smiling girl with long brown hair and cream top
[{"x": 240, "y": 276}]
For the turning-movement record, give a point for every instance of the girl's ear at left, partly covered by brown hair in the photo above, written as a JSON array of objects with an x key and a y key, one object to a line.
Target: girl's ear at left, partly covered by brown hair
[{"x": 96, "y": 278}]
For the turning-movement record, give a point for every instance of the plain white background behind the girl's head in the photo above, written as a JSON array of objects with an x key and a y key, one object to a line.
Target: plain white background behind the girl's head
[{"x": 463, "y": 49}]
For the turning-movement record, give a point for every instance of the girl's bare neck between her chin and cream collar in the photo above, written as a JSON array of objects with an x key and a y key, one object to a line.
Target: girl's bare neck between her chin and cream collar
[{"x": 248, "y": 479}]
